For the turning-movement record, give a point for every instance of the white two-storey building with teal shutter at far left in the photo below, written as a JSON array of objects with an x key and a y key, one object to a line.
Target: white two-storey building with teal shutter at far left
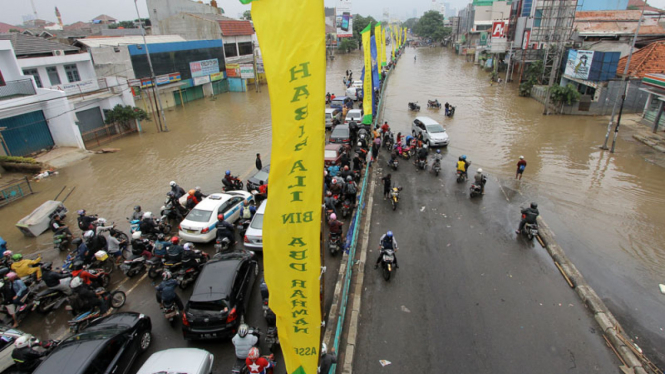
[{"x": 52, "y": 96}]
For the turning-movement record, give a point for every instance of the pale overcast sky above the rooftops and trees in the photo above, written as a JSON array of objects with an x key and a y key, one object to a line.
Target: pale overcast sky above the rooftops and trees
[{"x": 85, "y": 10}]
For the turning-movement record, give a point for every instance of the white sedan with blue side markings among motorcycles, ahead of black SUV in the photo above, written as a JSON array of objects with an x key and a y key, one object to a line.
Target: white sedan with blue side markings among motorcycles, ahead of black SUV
[{"x": 199, "y": 225}]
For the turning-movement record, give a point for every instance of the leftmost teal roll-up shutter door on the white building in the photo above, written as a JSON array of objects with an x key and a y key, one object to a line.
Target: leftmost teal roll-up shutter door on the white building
[{"x": 26, "y": 133}]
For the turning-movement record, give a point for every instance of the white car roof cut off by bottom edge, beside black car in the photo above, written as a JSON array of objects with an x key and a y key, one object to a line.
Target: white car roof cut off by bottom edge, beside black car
[{"x": 179, "y": 360}]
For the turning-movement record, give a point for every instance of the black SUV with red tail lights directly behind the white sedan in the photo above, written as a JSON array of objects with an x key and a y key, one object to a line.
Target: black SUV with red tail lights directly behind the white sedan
[{"x": 220, "y": 296}]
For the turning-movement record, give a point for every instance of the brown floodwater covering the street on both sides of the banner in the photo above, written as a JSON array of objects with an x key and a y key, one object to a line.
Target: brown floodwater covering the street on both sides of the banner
[{"x": 606, "y": 209}]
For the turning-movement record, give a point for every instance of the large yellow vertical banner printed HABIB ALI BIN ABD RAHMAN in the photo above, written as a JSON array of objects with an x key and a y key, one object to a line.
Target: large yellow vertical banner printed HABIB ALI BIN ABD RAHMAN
[{"x": 292, "y": 38}]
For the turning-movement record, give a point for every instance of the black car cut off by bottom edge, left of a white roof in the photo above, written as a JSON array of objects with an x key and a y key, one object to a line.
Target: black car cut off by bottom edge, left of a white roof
[{"x": 108, "y": 345}]
